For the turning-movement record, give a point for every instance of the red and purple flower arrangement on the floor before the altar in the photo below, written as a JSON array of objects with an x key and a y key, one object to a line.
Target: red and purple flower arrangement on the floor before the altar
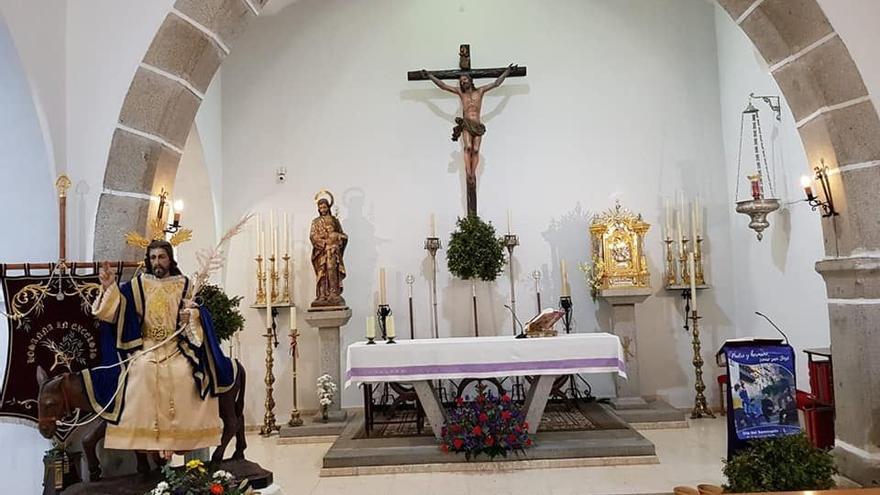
[{"x": 489, "y": 424}]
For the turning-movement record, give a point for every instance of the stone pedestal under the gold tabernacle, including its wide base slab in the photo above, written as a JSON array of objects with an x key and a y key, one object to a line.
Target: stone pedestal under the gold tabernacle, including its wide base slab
[{"x": 629, "y": 404}]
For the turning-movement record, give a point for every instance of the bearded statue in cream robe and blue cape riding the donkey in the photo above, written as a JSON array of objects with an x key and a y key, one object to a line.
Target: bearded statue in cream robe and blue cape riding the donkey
[{"x": 165, "y": 398}]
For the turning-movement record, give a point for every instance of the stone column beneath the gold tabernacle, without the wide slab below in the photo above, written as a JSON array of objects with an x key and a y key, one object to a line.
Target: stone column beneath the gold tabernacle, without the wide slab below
[{"x": 623, "y": 317}]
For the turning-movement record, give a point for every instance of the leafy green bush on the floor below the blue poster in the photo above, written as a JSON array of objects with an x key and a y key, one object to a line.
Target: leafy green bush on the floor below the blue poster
[{"x": 788, "y": 463}]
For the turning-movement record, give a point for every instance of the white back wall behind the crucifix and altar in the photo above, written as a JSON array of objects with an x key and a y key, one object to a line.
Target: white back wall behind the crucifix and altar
[{"x": 621, "y": 102}]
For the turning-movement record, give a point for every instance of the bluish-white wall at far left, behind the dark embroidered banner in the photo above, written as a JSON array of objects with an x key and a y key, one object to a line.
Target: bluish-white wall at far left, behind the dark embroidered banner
[{"x": 29, "y": 234}]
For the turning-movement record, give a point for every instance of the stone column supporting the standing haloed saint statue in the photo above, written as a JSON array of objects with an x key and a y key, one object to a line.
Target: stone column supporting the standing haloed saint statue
[{"x": 328, "y": 323}]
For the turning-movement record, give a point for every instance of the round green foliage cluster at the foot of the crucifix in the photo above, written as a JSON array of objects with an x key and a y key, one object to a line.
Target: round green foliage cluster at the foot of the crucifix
[{"x": 474, "y": 251}]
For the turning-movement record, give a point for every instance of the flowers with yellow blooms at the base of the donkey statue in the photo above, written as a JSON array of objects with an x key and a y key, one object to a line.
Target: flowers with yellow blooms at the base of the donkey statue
[{"x": 194, "y": 479}]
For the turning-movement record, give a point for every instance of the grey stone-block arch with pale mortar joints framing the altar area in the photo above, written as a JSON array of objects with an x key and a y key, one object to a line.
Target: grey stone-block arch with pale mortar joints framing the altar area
[{"x": 835, "y": 117}]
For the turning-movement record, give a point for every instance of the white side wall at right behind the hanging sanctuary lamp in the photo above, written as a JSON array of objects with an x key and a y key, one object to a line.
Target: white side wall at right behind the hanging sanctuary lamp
[{"x": 775, "y": 276}]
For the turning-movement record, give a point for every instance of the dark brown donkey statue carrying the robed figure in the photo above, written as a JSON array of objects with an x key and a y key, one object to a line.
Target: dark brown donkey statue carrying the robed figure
[{"x": 62, "y": 395}]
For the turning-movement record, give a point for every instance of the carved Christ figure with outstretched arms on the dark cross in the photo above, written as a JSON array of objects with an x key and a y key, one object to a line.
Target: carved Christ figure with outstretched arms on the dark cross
[{"x": 469, "y": 126}]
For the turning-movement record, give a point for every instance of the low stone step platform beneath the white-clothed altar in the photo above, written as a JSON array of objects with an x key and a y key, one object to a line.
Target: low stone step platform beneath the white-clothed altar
[{"x": 613, "y": 444}]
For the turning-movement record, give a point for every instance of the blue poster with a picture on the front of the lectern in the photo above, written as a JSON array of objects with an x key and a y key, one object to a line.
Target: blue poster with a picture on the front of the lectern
[{"x": 762, "y": 391}]
